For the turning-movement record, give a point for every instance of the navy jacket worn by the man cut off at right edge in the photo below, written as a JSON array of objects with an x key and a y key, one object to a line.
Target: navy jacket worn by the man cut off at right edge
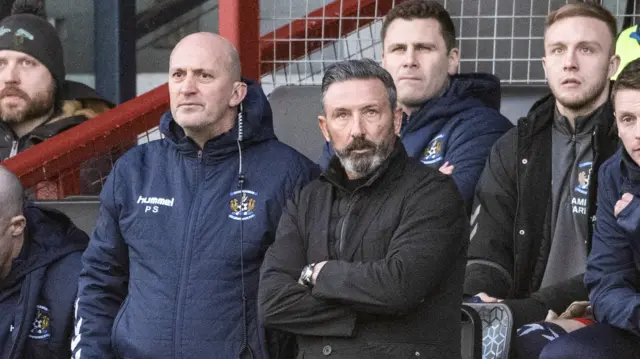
[{"x": 613, "y": 267}]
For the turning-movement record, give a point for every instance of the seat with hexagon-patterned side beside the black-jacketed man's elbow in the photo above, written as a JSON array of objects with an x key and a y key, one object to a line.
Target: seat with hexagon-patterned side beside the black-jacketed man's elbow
[{"x": 497, "y": 325}]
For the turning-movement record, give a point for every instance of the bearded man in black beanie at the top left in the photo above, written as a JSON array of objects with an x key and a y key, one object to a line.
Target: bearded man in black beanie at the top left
[{"x": 35, "y": 101}]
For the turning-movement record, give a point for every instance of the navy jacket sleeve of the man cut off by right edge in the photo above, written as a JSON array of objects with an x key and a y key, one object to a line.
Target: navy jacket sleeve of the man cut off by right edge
[{"x": 612, "y": 277}]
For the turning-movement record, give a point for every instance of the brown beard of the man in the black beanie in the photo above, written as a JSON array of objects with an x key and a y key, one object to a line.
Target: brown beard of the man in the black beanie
[{"x": 36, "y": 107}]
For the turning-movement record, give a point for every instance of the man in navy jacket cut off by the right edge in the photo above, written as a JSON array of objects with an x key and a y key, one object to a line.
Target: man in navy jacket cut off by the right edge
[{"x": 613, "y": 268}]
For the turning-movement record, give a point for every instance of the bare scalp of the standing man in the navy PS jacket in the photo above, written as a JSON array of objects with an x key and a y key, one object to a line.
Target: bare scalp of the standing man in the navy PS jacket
[{"x": 215, "y": 48}]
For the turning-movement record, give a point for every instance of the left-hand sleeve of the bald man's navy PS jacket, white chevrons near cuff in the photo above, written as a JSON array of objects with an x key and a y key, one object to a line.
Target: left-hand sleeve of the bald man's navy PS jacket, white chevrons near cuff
[{"x": 103, "y": 281}]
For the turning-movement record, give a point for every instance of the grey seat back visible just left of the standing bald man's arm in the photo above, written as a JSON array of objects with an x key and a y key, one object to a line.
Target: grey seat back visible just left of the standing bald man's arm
[{"x": 83, "y": 210}]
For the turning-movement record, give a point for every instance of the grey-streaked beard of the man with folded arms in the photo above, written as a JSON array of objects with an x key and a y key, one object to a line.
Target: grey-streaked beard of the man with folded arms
[{"x": 360, "y": 165}]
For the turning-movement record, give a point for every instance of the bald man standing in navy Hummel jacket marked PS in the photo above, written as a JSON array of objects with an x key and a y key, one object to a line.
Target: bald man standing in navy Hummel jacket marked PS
[{"x": 172, "y": 268}]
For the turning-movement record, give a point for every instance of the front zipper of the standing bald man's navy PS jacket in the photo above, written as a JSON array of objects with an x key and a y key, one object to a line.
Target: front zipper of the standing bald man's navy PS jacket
[{"x": 184, "y": 271}]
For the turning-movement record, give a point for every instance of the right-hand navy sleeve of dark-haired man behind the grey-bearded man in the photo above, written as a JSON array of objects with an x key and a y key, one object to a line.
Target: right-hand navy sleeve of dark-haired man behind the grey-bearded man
[{"x": 470, "y": 146}]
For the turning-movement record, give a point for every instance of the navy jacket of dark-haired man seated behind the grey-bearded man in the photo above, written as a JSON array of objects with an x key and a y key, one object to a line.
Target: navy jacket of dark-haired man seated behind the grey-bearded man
[{"x": 459, "y": 127}]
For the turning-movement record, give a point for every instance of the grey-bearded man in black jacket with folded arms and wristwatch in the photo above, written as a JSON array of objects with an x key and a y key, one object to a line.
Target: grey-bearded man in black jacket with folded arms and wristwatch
[{"x": 369, "y": 259}]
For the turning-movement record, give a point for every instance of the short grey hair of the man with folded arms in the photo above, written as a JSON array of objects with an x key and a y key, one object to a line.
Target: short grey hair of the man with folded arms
[{"x": 364, "y": 69}]
